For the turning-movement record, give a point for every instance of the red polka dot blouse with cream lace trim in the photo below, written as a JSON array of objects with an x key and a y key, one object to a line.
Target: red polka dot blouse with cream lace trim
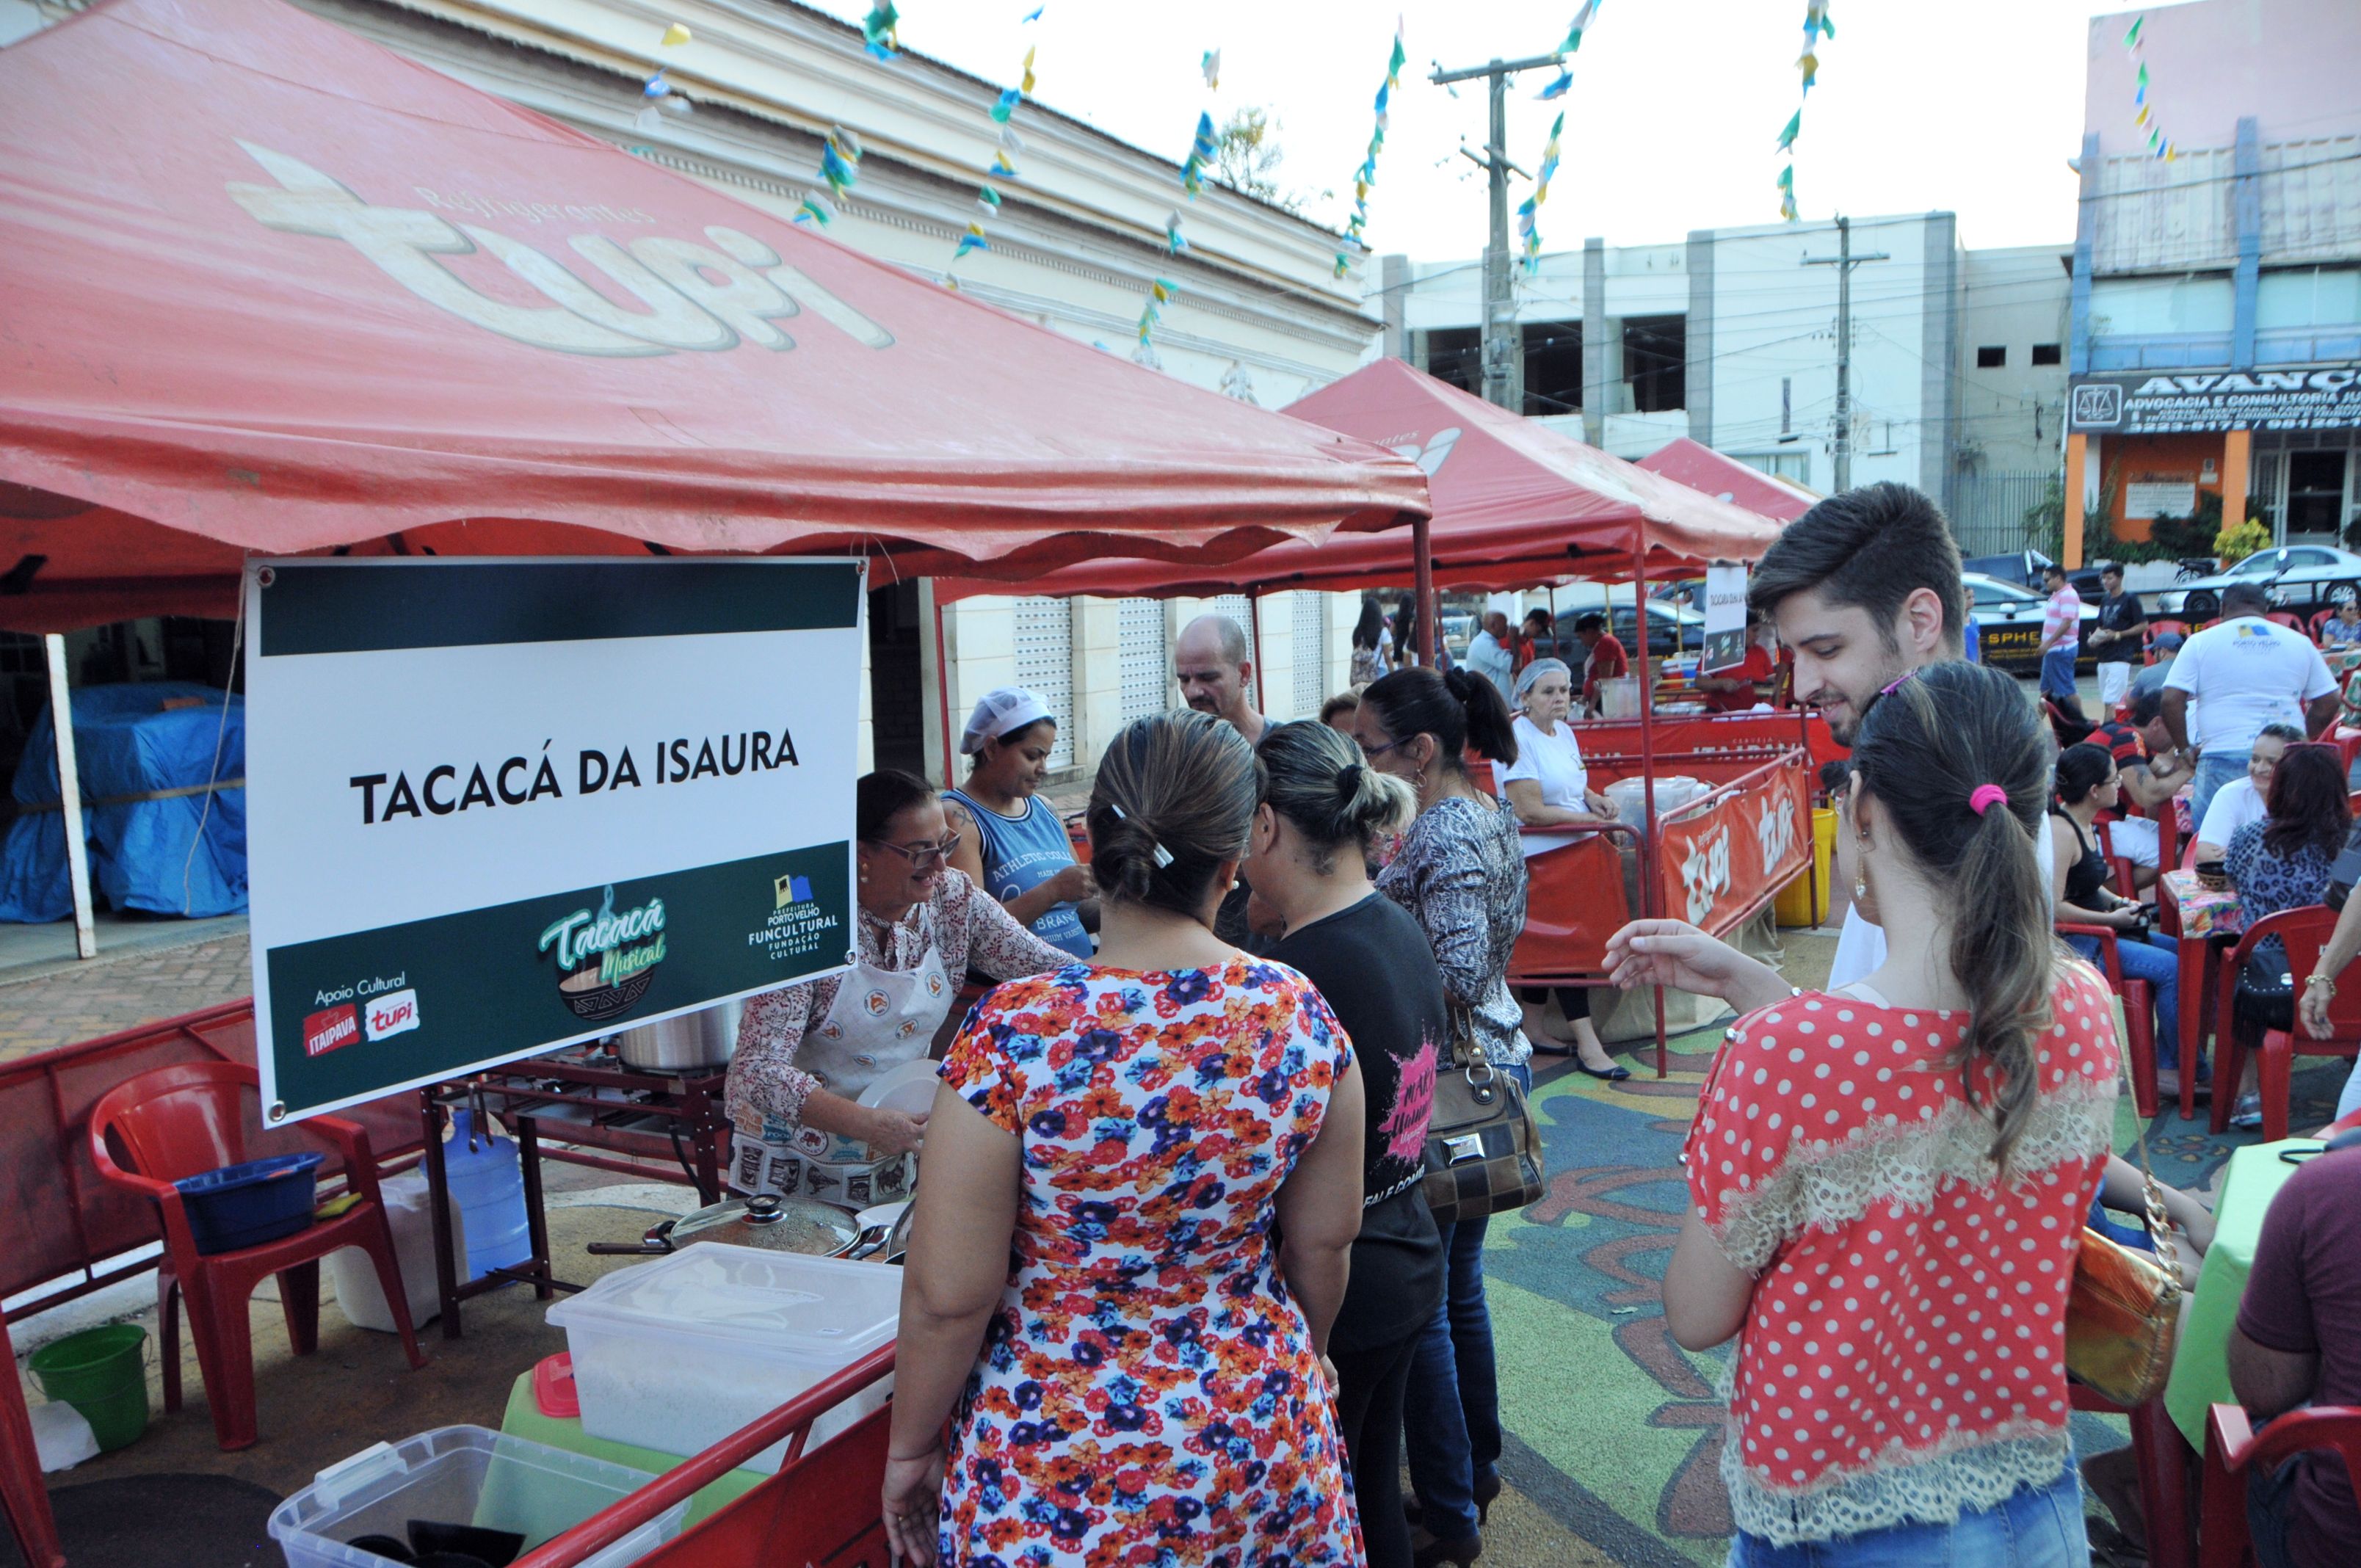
[{"x": 1904, "y": 1354}]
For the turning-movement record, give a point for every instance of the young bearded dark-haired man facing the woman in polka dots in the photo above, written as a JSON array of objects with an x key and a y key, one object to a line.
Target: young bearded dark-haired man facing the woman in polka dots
[{"x": 1864, "y": 589}]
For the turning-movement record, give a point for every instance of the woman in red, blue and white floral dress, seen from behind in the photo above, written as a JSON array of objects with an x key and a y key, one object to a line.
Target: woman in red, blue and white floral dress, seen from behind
[{"x": 1097, "y": 1298}]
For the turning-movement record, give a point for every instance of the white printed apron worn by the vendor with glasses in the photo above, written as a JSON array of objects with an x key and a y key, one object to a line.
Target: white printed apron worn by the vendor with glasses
[{"x": 879, "y": 1021}]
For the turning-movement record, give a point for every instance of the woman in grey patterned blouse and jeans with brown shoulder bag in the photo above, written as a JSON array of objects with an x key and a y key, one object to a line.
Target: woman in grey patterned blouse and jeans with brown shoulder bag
[{"x": 1463, "y": 875}]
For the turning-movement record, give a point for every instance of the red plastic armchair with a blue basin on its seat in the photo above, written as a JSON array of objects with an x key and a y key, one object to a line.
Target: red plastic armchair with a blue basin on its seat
[{"x": 188, "y": 1121}]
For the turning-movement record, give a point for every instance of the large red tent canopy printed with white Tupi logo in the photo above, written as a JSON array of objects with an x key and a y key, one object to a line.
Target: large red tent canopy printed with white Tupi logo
[{"x": 268, "y": 287}]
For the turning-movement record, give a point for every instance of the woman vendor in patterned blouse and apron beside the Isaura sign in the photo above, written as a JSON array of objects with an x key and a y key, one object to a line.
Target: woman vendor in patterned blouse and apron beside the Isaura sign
[{"x": 915, "y": 917}]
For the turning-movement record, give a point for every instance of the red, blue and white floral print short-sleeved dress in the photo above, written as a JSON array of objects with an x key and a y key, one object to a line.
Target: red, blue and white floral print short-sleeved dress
[{"x": 1149, "y": 1392}]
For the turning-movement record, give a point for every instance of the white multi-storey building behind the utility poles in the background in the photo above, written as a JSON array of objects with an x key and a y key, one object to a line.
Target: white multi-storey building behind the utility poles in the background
[{"x": 1732, "y": 339}]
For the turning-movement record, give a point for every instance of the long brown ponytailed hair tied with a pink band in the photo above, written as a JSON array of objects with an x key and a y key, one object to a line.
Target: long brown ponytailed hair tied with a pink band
[{"x": 1932, "y": 750}]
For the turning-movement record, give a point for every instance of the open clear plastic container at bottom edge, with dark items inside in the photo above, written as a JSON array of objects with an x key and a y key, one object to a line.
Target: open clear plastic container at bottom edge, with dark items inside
[{"x": 464, "y": 1477}]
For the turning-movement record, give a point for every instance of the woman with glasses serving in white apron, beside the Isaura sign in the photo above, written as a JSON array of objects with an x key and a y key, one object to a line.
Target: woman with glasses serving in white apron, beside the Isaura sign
[{"x": 809, "y": 1052}]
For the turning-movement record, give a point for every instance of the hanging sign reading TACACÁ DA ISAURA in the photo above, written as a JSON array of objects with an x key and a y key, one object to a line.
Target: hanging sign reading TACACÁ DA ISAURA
[{"x": 511, "y": 804}]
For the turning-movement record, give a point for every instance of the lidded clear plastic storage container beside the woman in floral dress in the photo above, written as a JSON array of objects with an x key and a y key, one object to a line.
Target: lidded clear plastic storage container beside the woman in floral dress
[{"x": 684, "y": 1352}]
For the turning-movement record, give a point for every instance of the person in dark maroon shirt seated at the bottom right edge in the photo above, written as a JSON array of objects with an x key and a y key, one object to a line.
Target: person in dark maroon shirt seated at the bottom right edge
[{"x": 2298, "y": 1342}]
